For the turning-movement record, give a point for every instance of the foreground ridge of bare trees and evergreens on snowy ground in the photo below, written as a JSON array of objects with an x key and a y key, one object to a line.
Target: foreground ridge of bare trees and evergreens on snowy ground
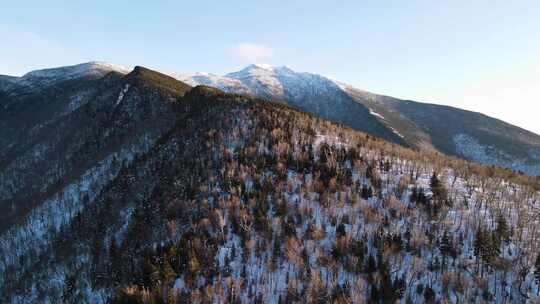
[{"x": 247, "y": 201}]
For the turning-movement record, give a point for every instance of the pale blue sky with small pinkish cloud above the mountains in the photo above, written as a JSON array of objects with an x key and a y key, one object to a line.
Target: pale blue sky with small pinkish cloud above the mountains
[{"x": 478, "y": 55}]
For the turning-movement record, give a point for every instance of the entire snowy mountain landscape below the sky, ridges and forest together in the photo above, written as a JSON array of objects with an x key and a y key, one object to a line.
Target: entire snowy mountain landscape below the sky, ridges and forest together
[{"x": 261, "y": 186}]
